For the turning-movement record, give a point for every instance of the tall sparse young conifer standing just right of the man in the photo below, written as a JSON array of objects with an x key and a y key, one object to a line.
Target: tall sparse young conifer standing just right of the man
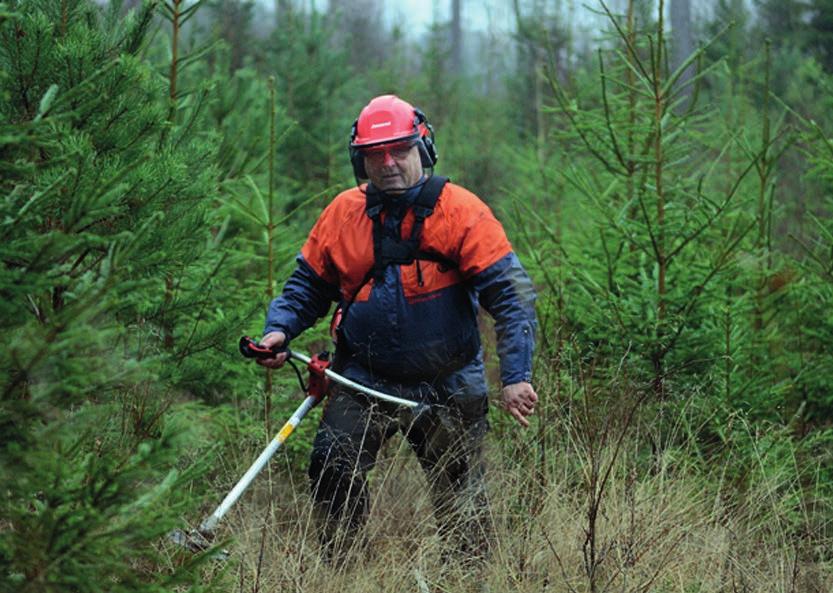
[{"x": 668, "y": 221}]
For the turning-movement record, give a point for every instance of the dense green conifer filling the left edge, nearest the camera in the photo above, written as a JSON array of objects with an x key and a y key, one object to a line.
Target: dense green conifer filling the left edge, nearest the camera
[{"x": 96, "y": 212}]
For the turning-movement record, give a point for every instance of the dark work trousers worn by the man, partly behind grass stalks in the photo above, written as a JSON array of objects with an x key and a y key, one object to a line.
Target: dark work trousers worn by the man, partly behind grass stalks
[{"x": 447, "y": 437}]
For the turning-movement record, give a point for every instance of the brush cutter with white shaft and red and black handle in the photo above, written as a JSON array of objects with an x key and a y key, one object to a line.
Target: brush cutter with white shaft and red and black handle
[{"x": 198, "y": 540}]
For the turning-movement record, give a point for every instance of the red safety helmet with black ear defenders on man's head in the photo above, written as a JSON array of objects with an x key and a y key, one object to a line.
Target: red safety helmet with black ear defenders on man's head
[{"x": 387, "y": 119}]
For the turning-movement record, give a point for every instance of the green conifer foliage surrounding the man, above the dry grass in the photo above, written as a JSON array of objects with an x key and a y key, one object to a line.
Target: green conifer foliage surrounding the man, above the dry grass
[{"x": 680, "y": 224}]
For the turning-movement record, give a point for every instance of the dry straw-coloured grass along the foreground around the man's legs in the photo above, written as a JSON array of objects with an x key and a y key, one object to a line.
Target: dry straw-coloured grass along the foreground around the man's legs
[{"x": 659, "y": 530}]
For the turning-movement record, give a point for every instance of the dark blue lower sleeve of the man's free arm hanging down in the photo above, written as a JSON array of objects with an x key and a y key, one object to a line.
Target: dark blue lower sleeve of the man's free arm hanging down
[{"x": 505, "y": 290}]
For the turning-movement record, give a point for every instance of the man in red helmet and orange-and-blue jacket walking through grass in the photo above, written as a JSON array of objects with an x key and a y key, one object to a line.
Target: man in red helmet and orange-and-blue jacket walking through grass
[{"x": 408, "y": 257}]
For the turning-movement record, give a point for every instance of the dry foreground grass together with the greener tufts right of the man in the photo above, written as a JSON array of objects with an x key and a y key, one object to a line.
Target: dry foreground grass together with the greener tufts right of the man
[{"x": 642, "y": 513}]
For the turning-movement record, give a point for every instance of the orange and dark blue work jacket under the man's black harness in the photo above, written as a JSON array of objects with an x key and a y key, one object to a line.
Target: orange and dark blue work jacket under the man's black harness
[{"x": 414, "y": 326}]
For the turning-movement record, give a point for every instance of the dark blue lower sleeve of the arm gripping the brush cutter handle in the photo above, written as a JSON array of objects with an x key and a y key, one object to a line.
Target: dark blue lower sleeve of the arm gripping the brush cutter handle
[{"x": 306, "y": 297}]
